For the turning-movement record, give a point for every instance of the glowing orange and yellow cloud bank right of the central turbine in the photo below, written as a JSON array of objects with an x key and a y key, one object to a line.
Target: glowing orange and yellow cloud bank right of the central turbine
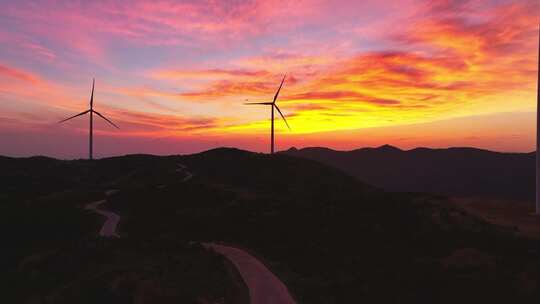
[{"x": 455, "y": 67}]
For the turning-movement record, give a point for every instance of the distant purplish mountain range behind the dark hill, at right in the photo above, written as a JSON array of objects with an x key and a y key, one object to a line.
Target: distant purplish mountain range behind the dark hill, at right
[{"x": 452, "y": 171}]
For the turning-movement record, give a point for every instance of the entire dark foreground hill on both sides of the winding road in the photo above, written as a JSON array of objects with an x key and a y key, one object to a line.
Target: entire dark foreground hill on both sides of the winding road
[{"x": 329, "y": 237}]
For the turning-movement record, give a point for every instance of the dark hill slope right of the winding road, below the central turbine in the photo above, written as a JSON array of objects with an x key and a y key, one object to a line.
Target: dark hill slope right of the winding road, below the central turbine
[{"x": 332, "y": 239}]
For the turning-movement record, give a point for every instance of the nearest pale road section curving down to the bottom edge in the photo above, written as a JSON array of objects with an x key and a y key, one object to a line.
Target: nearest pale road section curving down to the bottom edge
[{"x": 264, "y": 287}]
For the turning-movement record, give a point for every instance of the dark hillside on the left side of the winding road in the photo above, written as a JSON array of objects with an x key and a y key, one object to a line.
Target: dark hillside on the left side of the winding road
[{"x": 52, "y": 253}]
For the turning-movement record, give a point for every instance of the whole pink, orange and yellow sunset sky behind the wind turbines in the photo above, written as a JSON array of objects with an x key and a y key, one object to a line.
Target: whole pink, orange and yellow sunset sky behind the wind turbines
[{"x": 174, "y": 74}]
